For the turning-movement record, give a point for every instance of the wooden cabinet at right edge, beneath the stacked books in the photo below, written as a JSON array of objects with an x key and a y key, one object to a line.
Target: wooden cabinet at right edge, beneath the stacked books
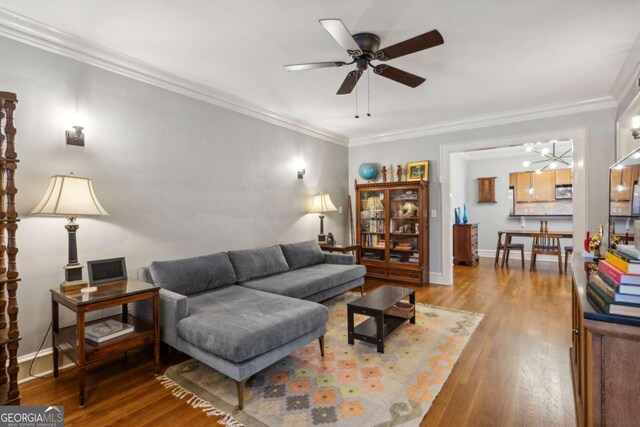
[{"x": 604, "y": 360}]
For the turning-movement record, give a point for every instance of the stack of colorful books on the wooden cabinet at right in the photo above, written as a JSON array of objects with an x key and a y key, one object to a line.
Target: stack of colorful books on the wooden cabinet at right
[{"x": 615, "y": 289}]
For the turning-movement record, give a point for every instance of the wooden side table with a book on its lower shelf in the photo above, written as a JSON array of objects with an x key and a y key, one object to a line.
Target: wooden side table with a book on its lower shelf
[{"x": 70, "y": 340}]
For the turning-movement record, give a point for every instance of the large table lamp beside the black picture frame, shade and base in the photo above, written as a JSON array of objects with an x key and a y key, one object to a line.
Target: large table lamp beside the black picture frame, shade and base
[{"x": 71, "y": 196}]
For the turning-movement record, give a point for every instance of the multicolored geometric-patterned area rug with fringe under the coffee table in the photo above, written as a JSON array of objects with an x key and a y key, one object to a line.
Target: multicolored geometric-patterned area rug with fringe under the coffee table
[{"x": 353, "y": 385}]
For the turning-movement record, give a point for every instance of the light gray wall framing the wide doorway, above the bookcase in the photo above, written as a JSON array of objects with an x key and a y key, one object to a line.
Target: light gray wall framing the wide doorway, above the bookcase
[{"x": 600, "y": 155}]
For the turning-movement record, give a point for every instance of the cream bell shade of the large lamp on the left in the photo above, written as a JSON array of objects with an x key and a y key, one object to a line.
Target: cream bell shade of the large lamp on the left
[{"x": 69, "y": 195}]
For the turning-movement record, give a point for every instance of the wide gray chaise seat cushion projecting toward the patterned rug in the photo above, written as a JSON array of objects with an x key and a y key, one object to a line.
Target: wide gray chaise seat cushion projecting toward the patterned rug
[{"x": 238, "y": 323}]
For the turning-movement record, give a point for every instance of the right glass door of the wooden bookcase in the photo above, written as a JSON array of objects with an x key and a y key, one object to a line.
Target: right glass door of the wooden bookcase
[{"x": 404, "y": 227}]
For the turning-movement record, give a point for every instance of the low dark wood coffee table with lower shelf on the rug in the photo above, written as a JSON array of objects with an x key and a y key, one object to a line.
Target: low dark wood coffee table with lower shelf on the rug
[{"x": 379, "y": 326}]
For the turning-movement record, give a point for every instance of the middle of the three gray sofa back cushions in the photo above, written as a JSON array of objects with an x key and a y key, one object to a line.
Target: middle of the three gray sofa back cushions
[{"x": 252, "y": 263}]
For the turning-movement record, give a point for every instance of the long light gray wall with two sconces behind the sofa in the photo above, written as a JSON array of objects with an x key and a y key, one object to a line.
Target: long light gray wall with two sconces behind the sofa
[{"x": 179, "y": 177}]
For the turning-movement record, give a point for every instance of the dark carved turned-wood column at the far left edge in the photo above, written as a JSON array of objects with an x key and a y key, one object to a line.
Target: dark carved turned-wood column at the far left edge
[{"x": 9, "y": 276}]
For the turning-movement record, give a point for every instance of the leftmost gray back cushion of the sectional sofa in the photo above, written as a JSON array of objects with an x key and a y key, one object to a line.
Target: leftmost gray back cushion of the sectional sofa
[{"x": 190, "y": 275}]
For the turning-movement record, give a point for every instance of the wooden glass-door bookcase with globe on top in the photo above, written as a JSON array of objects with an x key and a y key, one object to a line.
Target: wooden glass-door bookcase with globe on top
[{"x": 392, "y": 225}]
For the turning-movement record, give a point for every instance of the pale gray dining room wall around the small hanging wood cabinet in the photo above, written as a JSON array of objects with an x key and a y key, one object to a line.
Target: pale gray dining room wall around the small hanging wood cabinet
[{"x": 493, "y": 217}]
